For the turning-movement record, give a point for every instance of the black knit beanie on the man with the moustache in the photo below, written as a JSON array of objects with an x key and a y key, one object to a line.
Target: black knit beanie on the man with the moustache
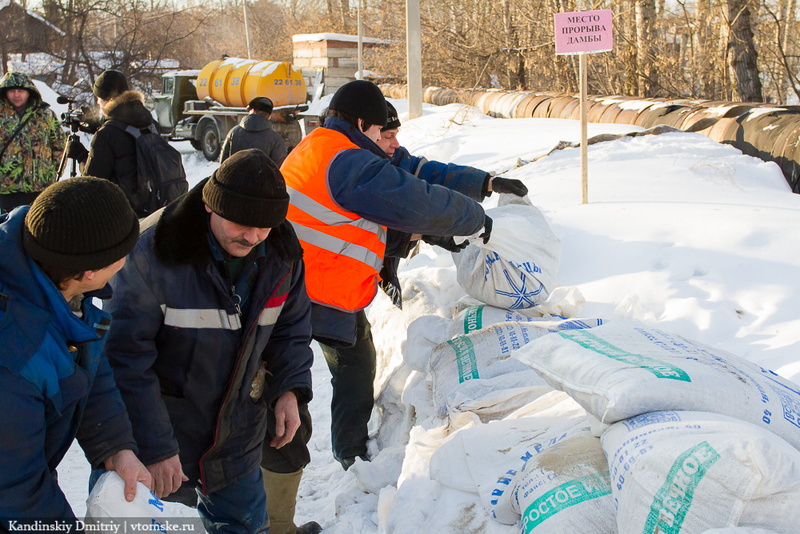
[{"x": 248, "y": 189}]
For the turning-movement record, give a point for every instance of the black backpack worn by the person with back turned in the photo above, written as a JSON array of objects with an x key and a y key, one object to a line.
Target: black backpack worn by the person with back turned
[{"x": 160, "y": 177}]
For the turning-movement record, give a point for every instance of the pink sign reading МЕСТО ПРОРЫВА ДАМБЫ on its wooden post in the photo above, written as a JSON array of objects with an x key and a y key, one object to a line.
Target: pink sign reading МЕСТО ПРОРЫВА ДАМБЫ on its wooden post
[{"x": 581, "y": 33}]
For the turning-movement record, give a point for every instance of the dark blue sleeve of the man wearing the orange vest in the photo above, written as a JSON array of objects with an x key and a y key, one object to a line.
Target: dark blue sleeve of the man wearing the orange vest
[{"x": 380, "y": 192}]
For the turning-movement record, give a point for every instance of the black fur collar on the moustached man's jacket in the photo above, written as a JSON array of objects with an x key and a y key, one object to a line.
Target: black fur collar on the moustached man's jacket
[{"x": 180, "y": 233}]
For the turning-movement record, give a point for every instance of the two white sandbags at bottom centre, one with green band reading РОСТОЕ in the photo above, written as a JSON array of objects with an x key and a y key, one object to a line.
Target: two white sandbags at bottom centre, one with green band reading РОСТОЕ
[{"x": 539, "y": 466}]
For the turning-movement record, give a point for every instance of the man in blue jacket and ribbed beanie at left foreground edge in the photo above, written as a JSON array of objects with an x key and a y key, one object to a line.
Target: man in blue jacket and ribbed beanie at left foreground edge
[{"x": 56, "y": 383}]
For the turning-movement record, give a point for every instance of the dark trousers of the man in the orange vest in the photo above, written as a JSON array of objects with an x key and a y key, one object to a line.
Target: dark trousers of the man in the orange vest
[{"x": 352, "y": 375}]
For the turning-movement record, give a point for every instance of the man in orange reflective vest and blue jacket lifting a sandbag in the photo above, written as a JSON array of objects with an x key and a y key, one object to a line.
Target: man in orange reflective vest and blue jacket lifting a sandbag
[{"x": 345, "y": 194}]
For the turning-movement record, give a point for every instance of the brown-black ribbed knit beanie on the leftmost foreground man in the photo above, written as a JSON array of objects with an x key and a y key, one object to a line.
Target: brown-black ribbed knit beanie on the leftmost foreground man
[{"x": 80, "y": 224}]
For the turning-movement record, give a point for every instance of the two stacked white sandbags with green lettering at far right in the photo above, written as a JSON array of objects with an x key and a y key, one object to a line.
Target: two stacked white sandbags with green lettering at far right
[{"x": 699, "y": 438}]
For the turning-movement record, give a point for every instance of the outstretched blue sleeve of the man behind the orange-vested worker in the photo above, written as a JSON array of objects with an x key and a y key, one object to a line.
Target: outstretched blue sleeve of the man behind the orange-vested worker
[{"x": 464, "y": 179}]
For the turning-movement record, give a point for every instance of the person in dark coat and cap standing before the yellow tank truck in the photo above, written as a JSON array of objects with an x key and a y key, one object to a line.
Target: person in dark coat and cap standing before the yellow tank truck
[{"x": 255, "y": 131}]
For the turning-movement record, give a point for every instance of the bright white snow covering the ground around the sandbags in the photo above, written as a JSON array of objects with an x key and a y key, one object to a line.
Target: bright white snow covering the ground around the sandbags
[{"x": 680, "y": 232}]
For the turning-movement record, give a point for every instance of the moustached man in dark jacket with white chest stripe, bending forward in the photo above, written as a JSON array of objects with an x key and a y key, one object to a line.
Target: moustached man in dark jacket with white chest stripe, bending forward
[{"x": 211, "y": 343}]
